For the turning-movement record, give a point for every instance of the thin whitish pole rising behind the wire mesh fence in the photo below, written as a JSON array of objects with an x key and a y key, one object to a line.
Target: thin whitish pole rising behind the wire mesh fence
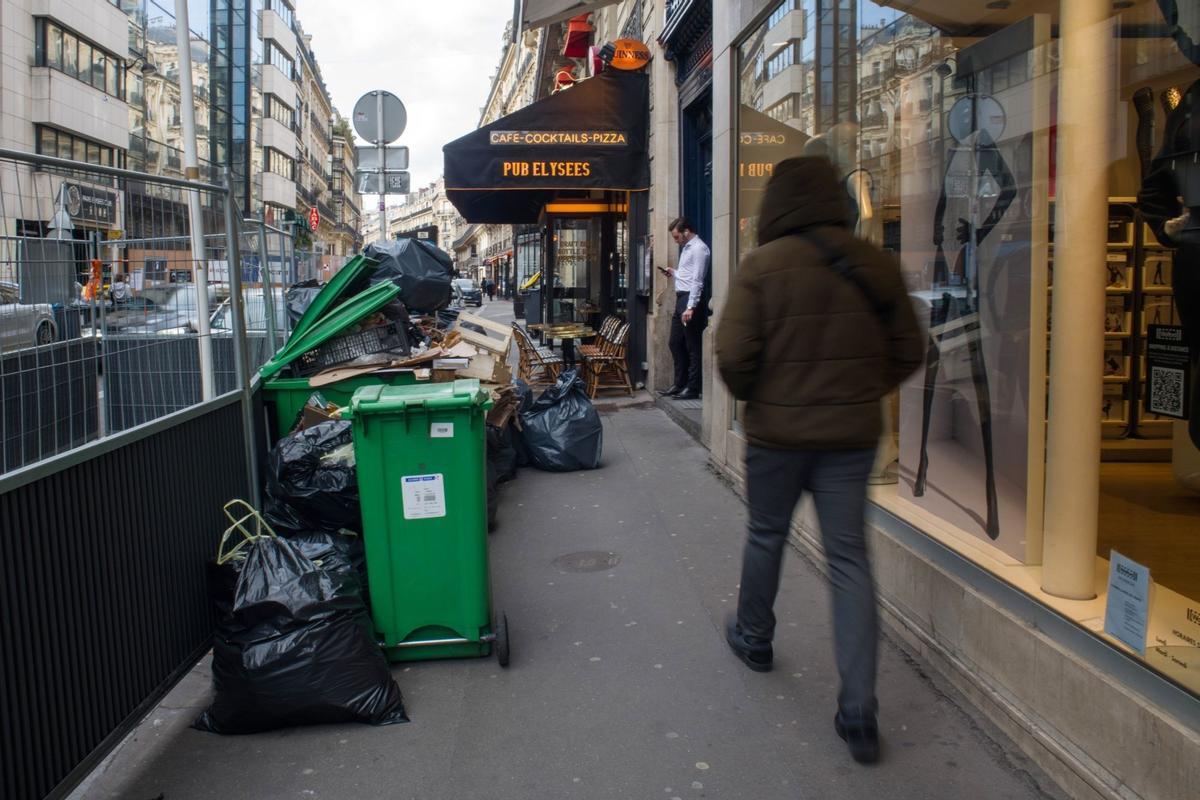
[{"x": 193, "y": 172}]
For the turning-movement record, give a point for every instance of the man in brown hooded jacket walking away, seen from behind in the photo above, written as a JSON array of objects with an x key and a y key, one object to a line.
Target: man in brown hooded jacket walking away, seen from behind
[{"x": 817, "y": 330}]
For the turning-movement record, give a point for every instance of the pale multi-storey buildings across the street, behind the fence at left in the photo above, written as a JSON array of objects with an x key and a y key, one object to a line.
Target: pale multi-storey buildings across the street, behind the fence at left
[{"x": 98, "y": 81}]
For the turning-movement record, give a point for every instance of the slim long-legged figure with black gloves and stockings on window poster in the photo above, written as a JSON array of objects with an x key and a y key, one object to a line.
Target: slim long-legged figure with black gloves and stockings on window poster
[{"x": 976, "y": 175}]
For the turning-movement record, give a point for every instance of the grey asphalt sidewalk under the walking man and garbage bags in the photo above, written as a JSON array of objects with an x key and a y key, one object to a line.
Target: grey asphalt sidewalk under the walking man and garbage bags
[{"x": 621, "y": 683}]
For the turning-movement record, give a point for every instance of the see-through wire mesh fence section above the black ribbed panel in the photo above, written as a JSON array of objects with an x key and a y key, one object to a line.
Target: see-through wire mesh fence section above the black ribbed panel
[{"x": 100, "y": 302}]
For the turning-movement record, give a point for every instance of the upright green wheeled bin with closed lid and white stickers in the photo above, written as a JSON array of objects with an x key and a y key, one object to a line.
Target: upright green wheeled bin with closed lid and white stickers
[{"x": 422, "y": 465}]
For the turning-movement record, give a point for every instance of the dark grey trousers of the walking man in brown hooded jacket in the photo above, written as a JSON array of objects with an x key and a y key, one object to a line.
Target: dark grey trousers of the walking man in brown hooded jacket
[{"x": 776, "y": 482}]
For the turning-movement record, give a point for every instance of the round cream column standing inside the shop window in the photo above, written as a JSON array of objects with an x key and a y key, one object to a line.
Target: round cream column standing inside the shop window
[{"x": 1087, "y": 105}]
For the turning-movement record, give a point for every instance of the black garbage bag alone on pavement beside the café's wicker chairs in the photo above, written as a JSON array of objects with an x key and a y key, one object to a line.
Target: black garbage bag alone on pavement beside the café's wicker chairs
[{"x": 562, "y": 430}]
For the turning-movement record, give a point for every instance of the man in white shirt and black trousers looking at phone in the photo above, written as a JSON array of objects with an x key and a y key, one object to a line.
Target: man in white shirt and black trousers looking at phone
[{"x": 688, "y": 320}]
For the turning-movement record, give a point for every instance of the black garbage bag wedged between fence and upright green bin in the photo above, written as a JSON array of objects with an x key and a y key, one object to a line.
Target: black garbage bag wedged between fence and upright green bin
[{"x": 311, "y": 482}]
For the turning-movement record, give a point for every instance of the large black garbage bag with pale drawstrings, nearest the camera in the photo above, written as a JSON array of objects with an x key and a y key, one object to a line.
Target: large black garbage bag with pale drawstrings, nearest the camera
[{"x": 297, "y": 649}]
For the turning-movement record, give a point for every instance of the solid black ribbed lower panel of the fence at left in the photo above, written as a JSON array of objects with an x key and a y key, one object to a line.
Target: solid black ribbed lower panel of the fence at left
[{"x": 104, "y": 593}]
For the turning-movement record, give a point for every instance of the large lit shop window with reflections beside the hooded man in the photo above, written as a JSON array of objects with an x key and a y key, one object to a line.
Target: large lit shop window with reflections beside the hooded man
[{"x": 949, "y": 139}]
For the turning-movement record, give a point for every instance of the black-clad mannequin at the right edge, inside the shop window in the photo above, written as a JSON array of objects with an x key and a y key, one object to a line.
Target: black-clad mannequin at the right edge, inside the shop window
[{"x": 1171, "y": 202}]
